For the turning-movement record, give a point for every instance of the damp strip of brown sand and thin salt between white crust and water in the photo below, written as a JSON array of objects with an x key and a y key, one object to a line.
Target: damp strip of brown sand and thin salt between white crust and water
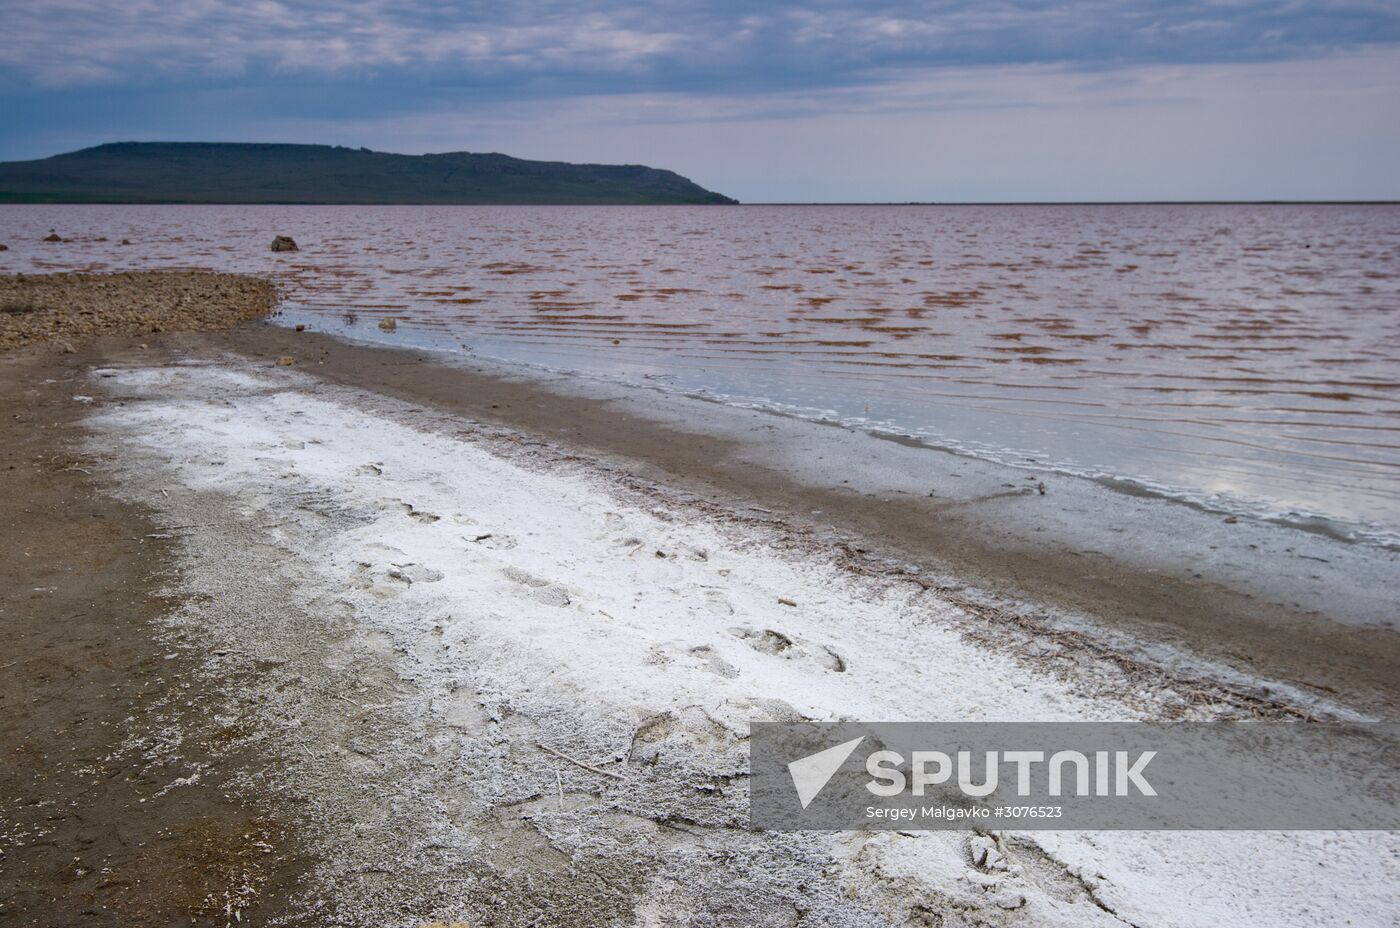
[{"x": 1231, "y": 594}]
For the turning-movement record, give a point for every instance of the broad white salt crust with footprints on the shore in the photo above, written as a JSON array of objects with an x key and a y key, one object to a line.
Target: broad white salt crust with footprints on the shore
[{"x": 456, "y": 629}]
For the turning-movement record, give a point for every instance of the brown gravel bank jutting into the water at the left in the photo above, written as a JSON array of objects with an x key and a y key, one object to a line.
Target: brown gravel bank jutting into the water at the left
[{"x": 72, "y": 307}]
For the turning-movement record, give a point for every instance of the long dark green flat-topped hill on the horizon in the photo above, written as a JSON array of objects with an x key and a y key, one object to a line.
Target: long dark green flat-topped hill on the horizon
[{"x": 232, "y": 173}]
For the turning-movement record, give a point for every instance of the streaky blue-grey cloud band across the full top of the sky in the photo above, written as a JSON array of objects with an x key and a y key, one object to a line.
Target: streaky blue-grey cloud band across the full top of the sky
[{"x": 668, "y": 45}]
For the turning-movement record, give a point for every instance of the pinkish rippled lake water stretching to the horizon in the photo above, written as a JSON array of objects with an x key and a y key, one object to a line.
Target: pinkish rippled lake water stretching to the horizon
[{"x": 1242, "y": 358}]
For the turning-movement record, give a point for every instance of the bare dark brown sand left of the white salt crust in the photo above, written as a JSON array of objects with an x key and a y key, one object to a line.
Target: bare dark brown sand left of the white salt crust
[{"x": 117, "y": 792}]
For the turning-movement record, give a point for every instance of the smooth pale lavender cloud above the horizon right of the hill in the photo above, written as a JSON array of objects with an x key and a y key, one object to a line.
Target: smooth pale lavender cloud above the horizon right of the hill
[{"x": 1314, "y": 129}]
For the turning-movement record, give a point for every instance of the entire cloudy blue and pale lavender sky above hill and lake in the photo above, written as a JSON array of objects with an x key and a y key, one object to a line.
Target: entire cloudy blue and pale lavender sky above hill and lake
[{"x": 836, "y": 100}]
